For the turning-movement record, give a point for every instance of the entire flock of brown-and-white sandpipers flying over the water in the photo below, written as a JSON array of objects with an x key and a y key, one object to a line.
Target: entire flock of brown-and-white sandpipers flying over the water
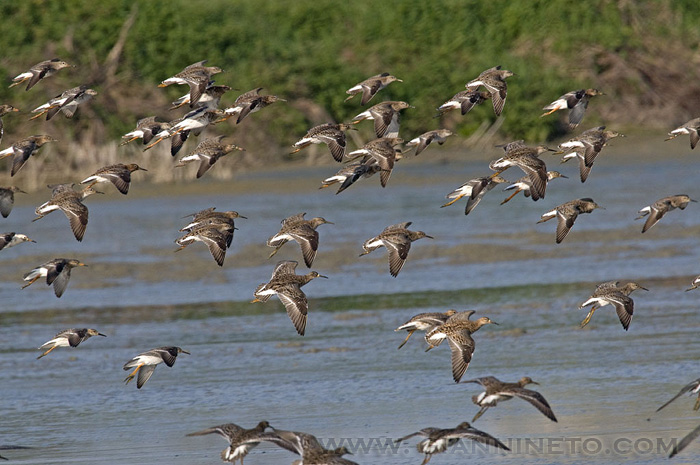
[{"x": 216, "y": 229}]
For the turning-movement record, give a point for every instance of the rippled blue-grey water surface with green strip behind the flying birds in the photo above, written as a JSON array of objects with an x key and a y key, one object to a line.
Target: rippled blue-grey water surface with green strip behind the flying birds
[{"x": 345, "y": 380}]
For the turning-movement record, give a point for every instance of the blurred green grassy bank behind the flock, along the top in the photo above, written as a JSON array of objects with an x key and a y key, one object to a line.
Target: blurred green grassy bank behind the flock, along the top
[{"x": 636, "y": 52}]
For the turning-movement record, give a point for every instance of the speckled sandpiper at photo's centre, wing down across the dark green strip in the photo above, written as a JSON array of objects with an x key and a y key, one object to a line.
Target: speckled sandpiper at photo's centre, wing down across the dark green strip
[{"x": 286, "y": 285}]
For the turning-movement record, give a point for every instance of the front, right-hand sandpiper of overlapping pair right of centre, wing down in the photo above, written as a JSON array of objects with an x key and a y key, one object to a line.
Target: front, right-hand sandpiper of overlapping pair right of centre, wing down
[{"x": 458, "y": 330}]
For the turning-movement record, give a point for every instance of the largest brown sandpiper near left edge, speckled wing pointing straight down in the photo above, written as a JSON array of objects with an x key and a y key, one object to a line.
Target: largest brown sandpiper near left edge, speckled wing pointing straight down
[{"x": 70, "y": 202}]
